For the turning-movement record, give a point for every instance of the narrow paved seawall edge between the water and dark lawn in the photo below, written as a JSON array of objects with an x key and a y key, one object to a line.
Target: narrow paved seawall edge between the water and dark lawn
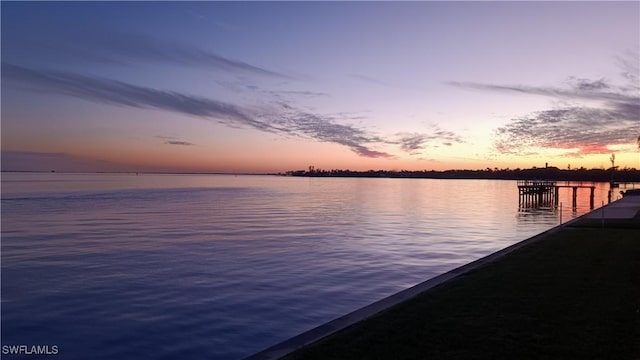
[{"x": 308, "y": 337}]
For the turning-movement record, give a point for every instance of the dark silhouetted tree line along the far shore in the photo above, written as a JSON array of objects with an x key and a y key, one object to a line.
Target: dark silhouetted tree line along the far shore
[{"x": 546, "y": 173}]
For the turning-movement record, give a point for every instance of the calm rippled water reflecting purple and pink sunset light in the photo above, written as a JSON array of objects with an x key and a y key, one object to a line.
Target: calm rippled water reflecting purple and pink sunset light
[{"x": 200, "y": 266}]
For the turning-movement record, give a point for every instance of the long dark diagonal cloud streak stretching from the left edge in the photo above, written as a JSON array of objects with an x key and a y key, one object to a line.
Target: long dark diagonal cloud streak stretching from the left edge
[{"x": 285, "y": 120}]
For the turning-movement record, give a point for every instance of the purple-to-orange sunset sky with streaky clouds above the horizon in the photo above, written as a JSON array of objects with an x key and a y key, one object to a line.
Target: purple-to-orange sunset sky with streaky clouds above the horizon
[{"x": 275, "y": 86}]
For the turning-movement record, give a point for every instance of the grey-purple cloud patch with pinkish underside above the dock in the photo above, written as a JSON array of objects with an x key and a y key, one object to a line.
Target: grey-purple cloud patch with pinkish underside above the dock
[{"x": 598, "y": 114}]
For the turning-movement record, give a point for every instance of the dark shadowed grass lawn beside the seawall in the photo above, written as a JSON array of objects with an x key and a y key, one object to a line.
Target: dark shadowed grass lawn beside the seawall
[{"x": 573, "y": 295}]
